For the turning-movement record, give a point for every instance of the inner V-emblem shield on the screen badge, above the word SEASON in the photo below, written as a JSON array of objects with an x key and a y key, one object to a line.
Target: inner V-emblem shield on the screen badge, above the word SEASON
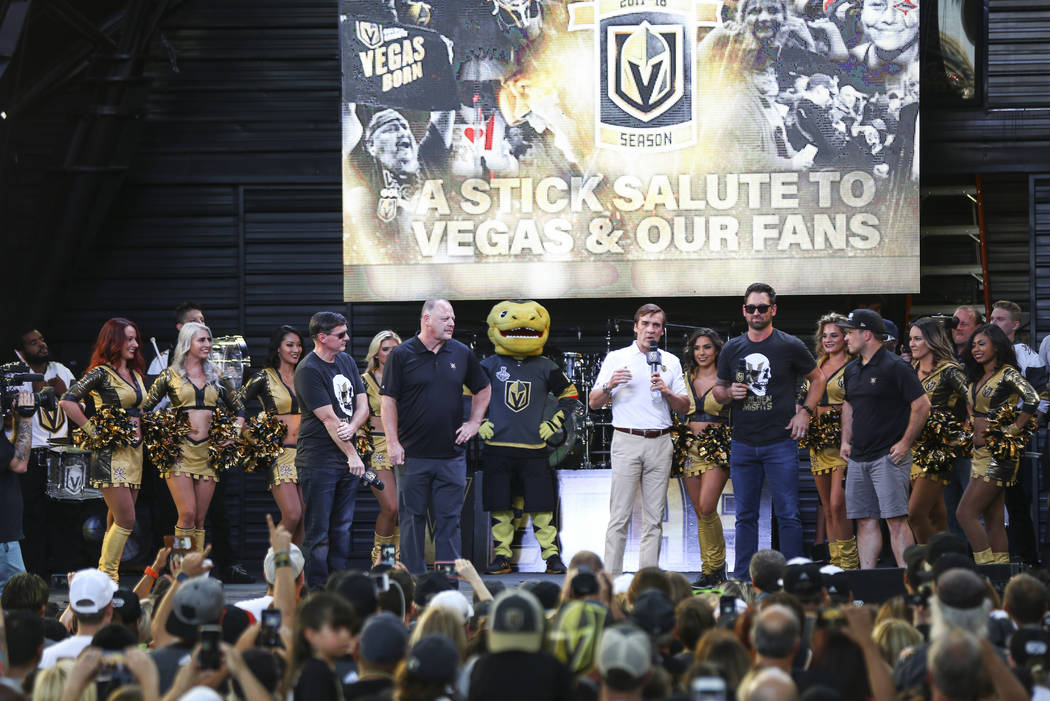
[{"x": 646, "y": 68}]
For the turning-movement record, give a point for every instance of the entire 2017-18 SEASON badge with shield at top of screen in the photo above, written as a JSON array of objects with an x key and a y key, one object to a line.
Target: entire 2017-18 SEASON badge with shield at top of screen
[{"x": 647, "y": 93}]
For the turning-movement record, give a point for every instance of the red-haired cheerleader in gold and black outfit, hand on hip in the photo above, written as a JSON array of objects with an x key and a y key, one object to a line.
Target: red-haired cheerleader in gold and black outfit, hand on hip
[{"x": 114, "y": 380}]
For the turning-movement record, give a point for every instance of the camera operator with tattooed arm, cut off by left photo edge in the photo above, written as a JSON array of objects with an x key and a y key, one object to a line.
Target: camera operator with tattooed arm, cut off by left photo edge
[{"x": 14, "y": 461}]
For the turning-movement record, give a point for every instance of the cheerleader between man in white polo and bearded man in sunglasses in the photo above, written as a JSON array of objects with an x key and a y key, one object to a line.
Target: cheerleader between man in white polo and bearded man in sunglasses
[{"x": 705, "y": 479}]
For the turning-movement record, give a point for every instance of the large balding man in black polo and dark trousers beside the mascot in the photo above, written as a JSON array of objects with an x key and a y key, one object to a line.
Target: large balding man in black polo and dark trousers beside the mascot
[{"x": 424, "y": 420}]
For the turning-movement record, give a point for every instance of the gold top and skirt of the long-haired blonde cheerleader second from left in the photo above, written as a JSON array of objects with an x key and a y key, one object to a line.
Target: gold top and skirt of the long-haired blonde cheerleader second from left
[{"x": 194, "y": 461}]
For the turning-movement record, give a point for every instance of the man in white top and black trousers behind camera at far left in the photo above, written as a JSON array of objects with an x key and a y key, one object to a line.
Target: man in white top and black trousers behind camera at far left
[{"x": 41, "y": 528}]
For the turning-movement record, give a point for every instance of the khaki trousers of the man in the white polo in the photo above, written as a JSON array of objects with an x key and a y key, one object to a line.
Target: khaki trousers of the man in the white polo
[{"x": 638, "y": 461}]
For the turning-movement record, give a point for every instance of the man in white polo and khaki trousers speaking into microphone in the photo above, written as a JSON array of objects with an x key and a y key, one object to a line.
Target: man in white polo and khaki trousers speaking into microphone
[{"x": 643, "y": 394}]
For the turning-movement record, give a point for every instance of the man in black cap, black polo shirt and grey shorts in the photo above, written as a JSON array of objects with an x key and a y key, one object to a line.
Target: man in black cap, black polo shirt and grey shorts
[{"x": 885, "y": 411}]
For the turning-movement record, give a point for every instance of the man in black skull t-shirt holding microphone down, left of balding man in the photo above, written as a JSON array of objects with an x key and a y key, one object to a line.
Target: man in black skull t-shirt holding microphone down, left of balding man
[{"x": 334, "y": 407}]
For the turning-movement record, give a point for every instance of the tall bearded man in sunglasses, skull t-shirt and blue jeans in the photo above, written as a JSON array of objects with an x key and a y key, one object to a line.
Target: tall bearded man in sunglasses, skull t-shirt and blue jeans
[{"x": 760, "y": 373}]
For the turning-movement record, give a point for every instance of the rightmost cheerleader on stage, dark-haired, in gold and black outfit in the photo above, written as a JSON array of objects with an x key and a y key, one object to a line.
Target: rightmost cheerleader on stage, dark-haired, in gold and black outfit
[{"x": 996, "y": 384}]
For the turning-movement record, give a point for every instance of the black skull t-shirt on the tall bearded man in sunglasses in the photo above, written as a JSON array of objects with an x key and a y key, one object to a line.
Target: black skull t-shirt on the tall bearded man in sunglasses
[{"x": 773, "y": 370}]
